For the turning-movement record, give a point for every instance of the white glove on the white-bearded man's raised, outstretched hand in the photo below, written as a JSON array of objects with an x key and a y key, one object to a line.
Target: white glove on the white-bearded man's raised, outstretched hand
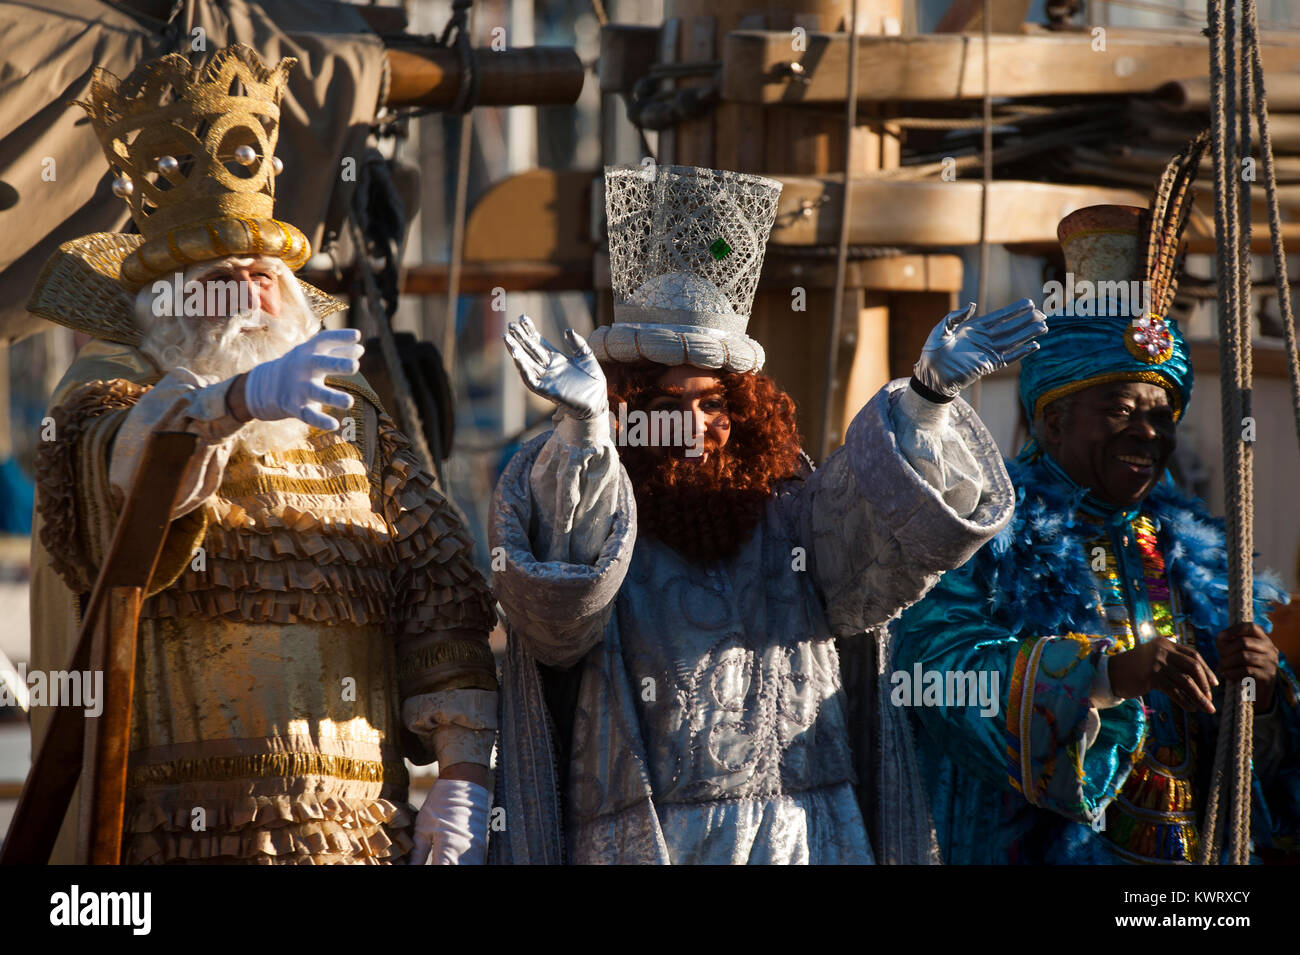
[{"x": 293, "y": 387}]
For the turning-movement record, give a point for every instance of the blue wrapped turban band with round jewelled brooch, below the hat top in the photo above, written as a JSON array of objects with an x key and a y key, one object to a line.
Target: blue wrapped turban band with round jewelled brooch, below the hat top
[{"x": 1078, "y": 353}]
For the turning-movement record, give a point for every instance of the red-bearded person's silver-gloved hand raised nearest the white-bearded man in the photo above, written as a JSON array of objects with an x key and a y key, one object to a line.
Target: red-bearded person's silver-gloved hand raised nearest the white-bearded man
[{"x": 575, "y": 381}]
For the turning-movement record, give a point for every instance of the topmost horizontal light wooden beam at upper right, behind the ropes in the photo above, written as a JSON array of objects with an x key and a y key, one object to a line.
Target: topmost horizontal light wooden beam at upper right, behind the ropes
[{"x": 943, "y": 68}]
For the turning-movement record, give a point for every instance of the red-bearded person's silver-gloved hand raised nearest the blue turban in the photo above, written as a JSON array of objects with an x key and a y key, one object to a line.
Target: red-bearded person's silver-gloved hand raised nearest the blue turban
[{"x": 963, "y": 350}]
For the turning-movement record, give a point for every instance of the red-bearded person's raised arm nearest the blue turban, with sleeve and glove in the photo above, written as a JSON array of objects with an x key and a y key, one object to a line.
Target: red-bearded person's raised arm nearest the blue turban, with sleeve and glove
[{"x": 920, "y": 485}]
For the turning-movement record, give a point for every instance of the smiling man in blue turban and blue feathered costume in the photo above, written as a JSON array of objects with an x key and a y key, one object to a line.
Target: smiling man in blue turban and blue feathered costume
[{"x": 1098, "y": 622}]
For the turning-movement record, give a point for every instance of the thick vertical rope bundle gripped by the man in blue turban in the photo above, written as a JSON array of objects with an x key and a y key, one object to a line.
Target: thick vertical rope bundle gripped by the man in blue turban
[{"x": 1232, "y": 814}]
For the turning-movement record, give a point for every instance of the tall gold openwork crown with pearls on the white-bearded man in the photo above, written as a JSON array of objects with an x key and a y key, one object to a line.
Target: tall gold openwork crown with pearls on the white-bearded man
[{"x": 193, "y": 150}]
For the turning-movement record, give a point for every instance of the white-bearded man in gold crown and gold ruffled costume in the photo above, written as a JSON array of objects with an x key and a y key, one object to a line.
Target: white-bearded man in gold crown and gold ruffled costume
[{"x": 315, "y": 617}]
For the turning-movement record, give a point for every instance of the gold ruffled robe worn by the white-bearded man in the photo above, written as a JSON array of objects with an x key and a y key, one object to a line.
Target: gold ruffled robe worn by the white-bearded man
[{"x": 335, "y": 585}]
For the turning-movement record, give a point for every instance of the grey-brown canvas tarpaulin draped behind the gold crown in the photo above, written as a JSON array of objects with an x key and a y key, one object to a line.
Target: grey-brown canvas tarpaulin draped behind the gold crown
[{"x": 49, "y": 50}]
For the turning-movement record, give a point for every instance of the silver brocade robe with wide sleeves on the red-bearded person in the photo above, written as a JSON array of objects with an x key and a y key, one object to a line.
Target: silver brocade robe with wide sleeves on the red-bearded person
[{"x": 710, "y": 718}]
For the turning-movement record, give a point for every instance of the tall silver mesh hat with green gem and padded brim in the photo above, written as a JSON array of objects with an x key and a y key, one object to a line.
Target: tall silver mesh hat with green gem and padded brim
[{"x": 686, "y": 250}]
